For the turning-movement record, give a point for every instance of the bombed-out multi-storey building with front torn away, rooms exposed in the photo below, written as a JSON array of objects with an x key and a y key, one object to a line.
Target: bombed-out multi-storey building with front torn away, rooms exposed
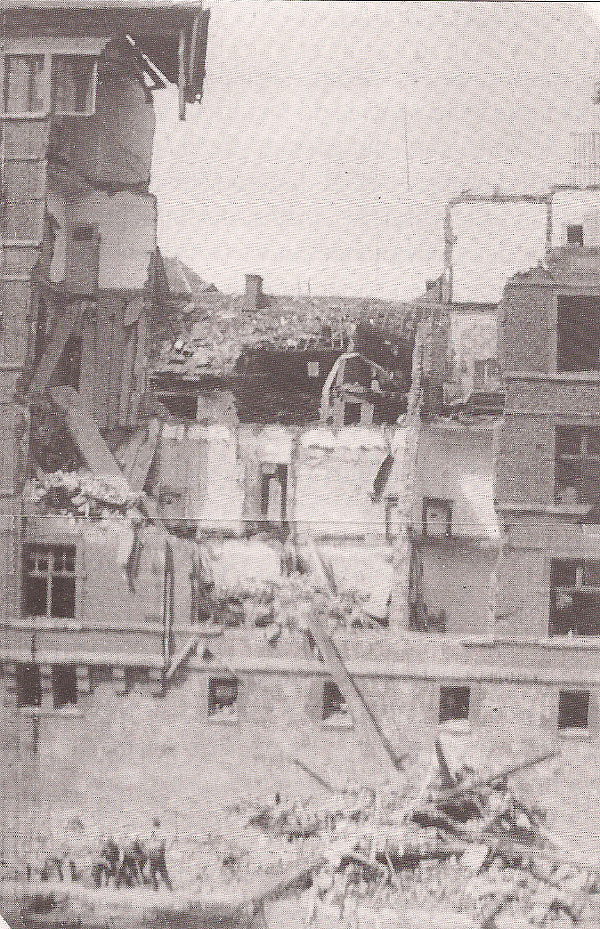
[{"x": 344, "y": 462}]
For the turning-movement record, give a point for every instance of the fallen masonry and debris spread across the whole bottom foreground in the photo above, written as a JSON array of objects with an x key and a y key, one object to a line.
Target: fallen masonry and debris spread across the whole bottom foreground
[{"x": 460, "y": 848}]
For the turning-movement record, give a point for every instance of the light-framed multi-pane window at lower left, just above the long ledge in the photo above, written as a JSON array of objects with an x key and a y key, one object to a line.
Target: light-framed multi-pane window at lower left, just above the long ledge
[{"x": 49, "y": 580}]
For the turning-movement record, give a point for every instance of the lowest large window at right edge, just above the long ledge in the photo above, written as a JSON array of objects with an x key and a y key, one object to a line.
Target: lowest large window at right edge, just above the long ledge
[{"x": 574, "y": 598}]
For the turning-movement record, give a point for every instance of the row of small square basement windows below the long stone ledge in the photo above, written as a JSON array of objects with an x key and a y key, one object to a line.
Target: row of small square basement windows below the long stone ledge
[{"x": 223, "y": 695}]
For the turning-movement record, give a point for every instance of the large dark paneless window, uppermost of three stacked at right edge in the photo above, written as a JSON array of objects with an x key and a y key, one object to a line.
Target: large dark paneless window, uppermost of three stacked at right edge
[{"x": 578, "y": 333}]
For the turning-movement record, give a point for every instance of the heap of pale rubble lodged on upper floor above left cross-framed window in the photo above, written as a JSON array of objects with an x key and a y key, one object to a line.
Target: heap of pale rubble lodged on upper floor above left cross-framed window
[{"x": 85, "y": 495}]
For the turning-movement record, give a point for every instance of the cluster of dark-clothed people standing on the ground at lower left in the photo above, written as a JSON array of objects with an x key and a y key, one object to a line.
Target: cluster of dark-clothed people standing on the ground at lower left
[{"x": 134, "y": 864}]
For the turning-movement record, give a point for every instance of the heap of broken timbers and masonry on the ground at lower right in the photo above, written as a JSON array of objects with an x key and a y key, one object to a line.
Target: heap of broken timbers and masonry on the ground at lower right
[{"x": 473, "y": 846}]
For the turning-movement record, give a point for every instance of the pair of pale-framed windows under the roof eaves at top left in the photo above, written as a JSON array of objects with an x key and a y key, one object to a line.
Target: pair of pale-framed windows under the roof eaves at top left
[{"x": 37, "y": 84}]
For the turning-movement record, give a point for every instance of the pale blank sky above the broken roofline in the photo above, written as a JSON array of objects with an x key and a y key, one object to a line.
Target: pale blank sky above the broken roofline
[{"x": 331, "y": 134}]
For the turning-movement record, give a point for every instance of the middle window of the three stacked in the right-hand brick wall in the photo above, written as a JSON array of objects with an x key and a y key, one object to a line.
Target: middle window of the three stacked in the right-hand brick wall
[{"x": 577, "y": 465}]
